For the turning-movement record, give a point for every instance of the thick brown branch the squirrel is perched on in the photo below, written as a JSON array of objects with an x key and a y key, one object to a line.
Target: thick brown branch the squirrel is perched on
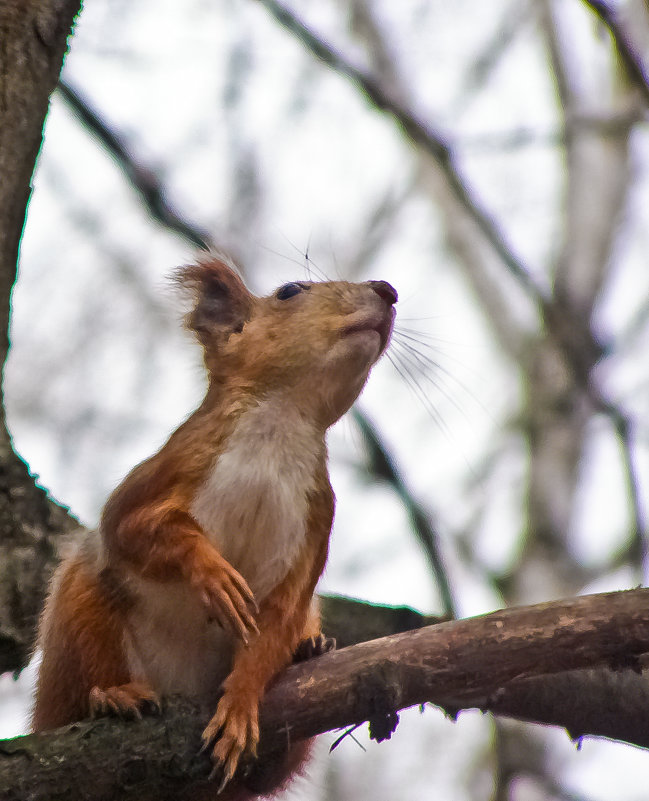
[{"x": 475, "y": 662}]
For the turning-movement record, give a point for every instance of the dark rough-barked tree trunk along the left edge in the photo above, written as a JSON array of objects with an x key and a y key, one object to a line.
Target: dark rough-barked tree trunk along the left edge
[{"x": 33, "y": 40}]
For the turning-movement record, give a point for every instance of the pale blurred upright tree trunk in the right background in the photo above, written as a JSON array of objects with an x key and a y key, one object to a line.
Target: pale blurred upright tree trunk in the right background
[{"x": 560, "y": 391}]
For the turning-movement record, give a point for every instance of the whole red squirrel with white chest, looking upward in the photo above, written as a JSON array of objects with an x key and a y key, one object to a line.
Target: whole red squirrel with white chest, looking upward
[{"x": 200, "y": 579}]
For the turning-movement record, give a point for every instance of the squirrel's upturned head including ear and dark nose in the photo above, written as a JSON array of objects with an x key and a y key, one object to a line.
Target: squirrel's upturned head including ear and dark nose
[{"x": 312, "y": 344}]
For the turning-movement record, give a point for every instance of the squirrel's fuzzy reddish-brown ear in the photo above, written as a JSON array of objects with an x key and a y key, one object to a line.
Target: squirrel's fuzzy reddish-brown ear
[{"x": 222, "y": 302}]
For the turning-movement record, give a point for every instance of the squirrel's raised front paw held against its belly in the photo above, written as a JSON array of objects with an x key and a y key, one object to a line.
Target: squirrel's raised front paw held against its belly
[{"x": 226, "y": 596}]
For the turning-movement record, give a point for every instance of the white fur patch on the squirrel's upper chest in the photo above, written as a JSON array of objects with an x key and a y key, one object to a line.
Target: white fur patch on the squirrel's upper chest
[{"x": 253, "y": 504}]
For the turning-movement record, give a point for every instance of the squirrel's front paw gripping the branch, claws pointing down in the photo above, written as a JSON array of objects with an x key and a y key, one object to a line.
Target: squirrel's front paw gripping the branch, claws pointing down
[{"x": 234, "y": 730}]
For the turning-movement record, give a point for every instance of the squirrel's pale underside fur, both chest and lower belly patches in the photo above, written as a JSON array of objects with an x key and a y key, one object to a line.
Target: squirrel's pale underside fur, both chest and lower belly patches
[{"x": 253, "y": 506}]
